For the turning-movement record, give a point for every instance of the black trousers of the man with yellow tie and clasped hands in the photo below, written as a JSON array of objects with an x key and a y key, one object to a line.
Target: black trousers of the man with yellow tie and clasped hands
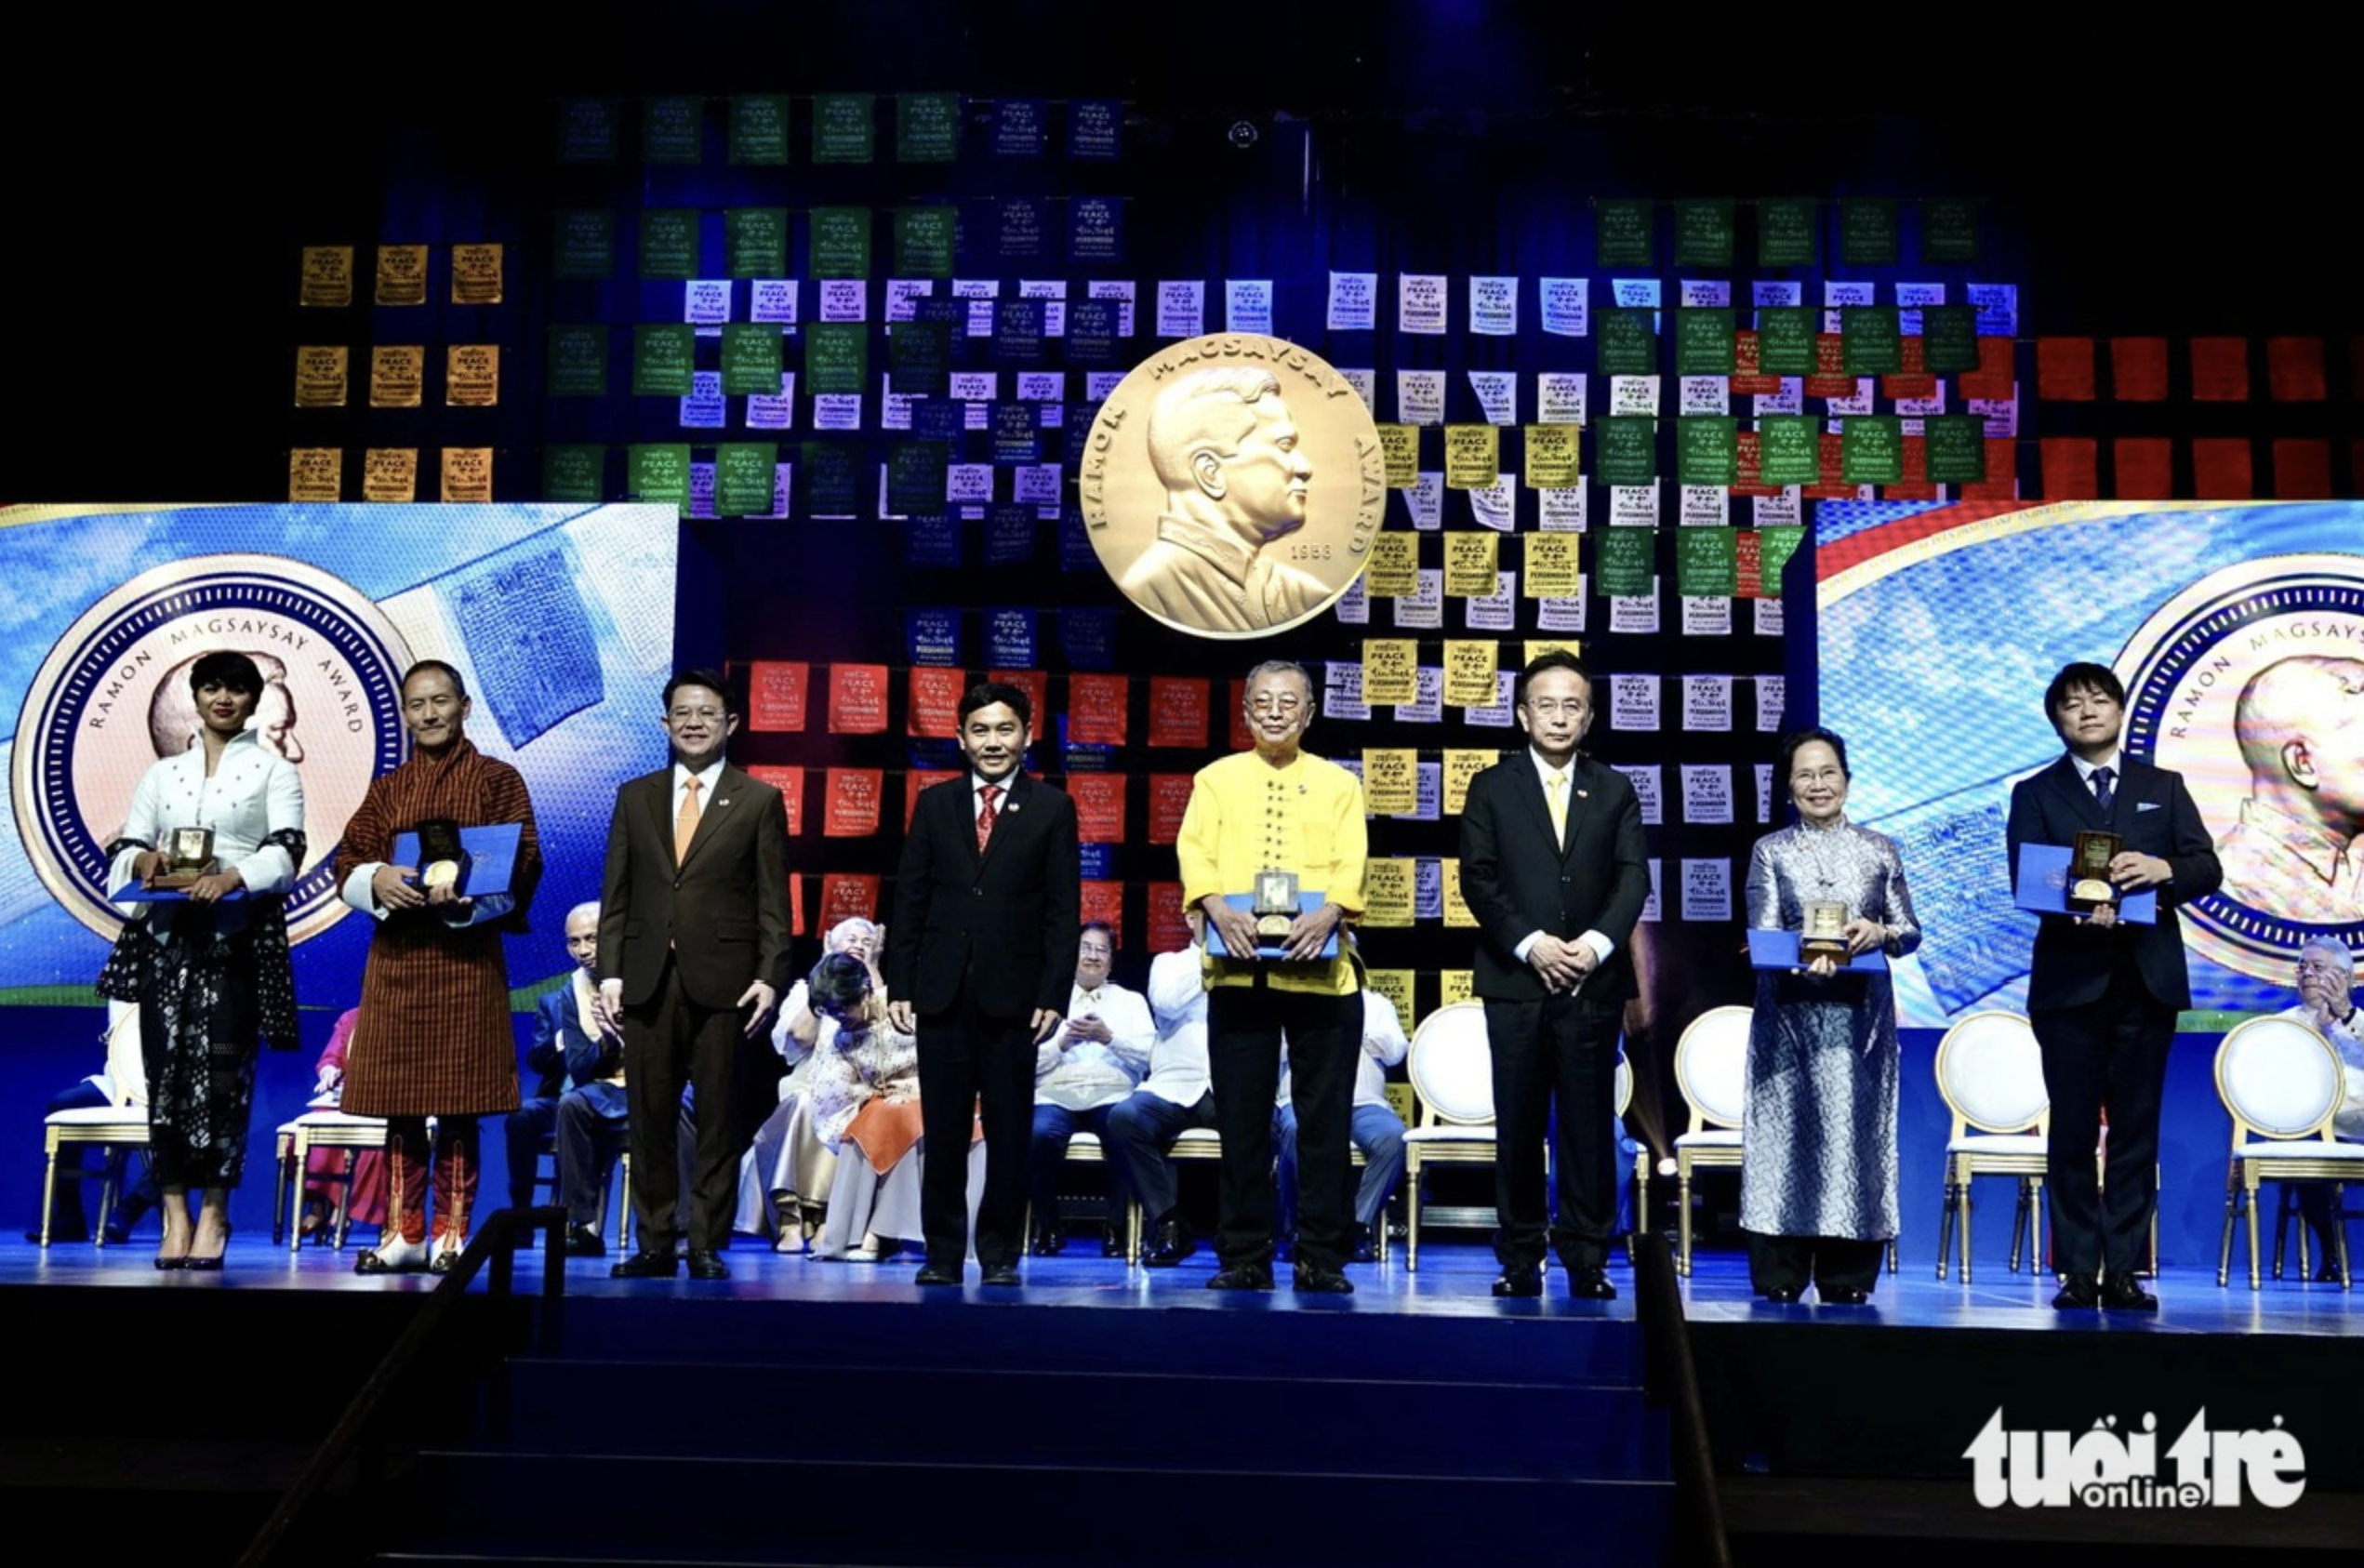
[{"x": 1554, "y": 1051}]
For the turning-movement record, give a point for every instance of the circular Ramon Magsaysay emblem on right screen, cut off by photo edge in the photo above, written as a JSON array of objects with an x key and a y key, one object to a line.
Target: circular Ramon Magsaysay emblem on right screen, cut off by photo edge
[{"x": 2252, "y": 687}]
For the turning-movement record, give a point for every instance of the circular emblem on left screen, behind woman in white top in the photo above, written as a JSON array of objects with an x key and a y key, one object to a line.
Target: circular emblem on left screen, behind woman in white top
[{"x": 115, "y": 696}]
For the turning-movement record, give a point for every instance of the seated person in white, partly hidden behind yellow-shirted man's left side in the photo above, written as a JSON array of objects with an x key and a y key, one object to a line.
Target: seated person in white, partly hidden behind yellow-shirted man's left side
[{"x": 1171, "y": 1101}]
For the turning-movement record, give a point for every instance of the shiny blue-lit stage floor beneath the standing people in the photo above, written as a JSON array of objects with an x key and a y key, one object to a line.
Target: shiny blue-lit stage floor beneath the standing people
[{"x": 1453, "y": 1281}]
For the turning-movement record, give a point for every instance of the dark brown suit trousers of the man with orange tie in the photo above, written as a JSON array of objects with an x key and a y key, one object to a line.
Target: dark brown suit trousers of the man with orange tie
[{"x": 668, "y": 1042}]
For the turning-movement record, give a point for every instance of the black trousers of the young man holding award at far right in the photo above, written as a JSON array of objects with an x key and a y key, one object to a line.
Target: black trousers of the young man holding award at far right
[{"x": 2105, "y": 1056}]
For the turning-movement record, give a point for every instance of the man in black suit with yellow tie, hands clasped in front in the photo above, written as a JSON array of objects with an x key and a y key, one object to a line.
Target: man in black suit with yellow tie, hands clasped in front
[{"x": 1554, "y": 872}]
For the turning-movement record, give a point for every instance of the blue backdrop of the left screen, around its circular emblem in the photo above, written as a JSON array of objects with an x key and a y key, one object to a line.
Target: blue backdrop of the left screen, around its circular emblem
[{"x": 564, "y": 614}]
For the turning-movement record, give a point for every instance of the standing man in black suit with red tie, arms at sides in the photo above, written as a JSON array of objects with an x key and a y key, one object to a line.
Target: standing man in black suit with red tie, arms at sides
[{"x": 980, "y": 966}]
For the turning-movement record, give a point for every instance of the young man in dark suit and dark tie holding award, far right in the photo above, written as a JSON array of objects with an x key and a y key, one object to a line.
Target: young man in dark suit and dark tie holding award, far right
[{"x": 2105, "y": 992}]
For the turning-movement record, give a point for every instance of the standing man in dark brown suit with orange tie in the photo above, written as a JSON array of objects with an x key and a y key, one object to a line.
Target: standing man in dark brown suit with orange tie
[{"x": 691, "y": 940}]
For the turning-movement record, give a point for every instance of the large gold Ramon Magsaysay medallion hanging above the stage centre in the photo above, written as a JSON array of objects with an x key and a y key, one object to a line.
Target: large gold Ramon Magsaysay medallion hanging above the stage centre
[{"x": 1233, "y": 486}]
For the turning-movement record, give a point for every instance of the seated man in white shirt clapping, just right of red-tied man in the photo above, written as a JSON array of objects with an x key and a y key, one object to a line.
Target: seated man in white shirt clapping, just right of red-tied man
[{"x": 1082, "y": 1077}]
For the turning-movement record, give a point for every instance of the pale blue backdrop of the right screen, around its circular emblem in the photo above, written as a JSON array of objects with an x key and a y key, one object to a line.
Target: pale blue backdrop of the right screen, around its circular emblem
[{"x": 1937, "y": 673}]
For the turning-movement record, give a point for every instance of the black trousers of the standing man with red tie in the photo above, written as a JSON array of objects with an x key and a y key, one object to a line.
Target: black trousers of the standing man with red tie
[{"x": 975, "y": 1065}]
